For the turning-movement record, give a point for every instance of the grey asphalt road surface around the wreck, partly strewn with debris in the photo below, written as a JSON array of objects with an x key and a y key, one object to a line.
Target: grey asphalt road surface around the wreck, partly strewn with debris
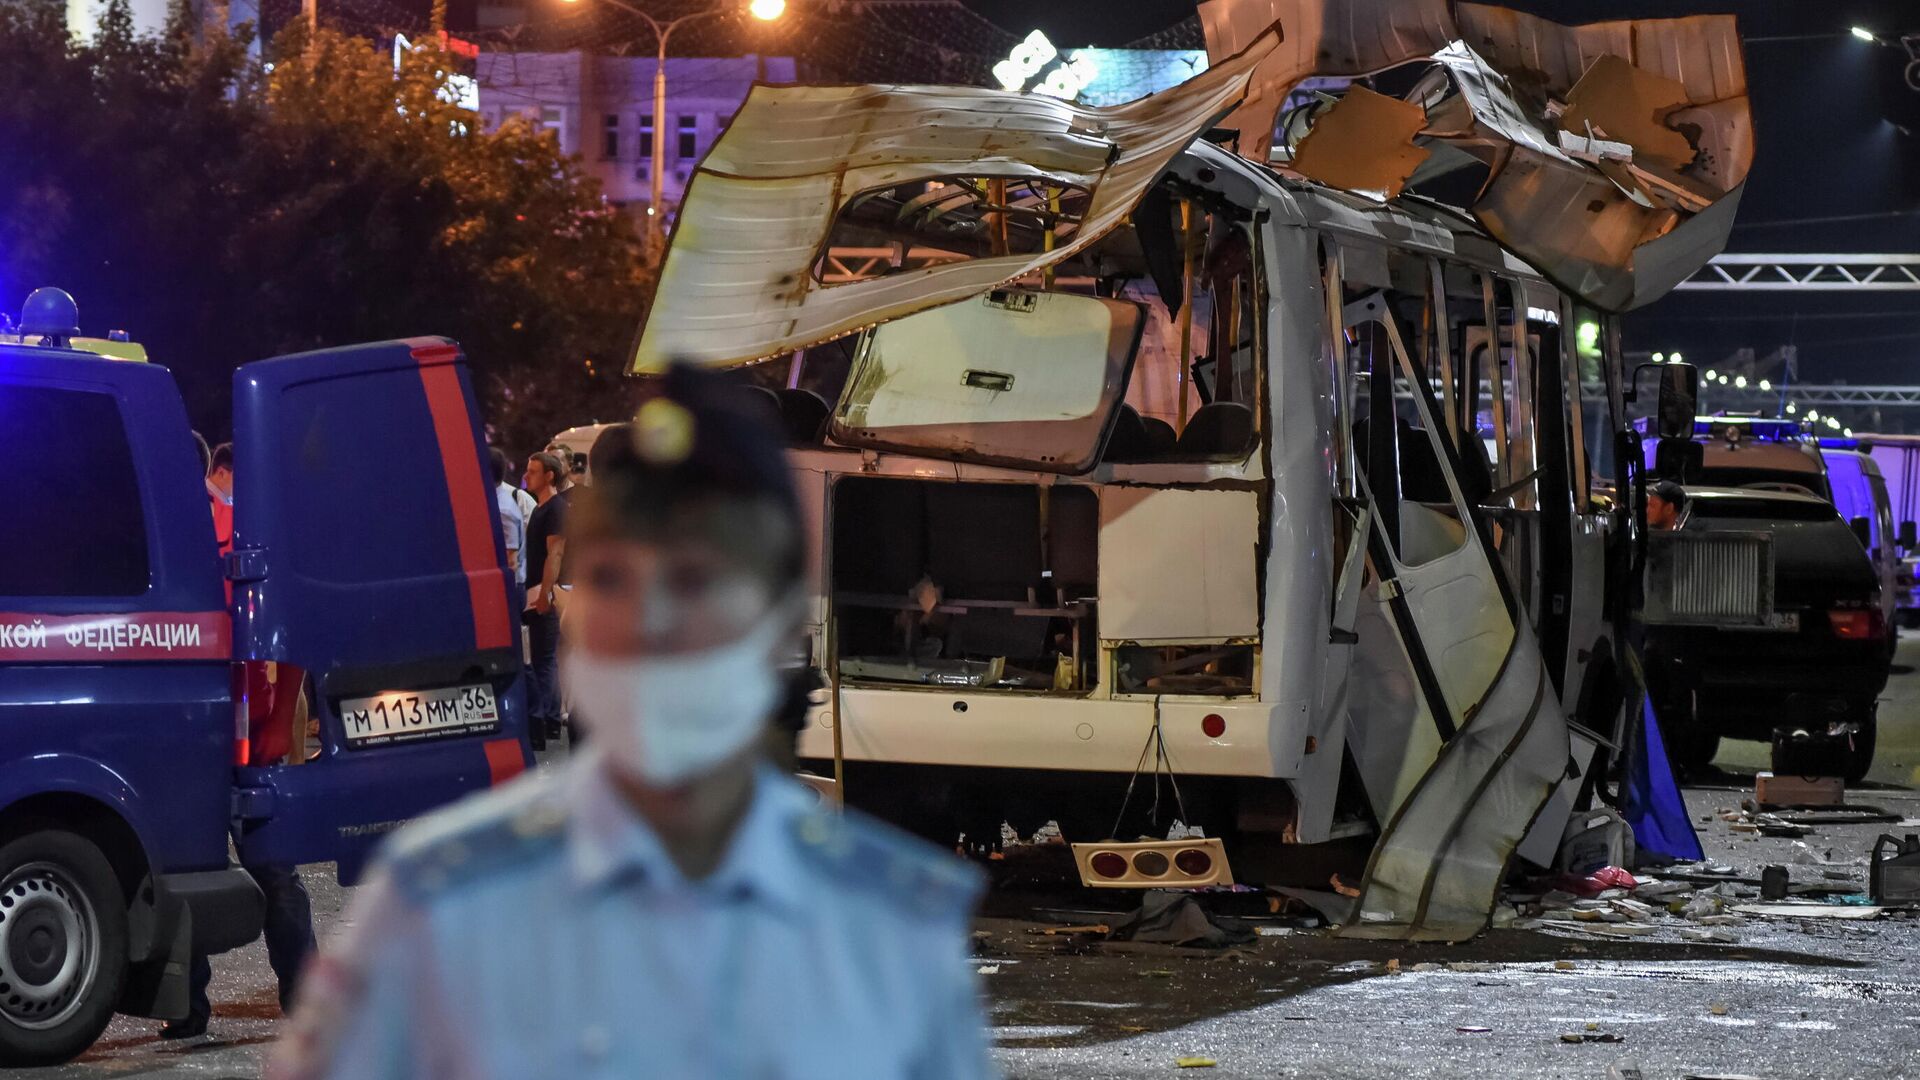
[{"x": 1790, "y": 998}]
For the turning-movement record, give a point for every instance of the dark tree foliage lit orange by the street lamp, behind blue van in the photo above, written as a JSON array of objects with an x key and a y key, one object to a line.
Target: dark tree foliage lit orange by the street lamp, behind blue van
[{"x": 224, "y": 210}]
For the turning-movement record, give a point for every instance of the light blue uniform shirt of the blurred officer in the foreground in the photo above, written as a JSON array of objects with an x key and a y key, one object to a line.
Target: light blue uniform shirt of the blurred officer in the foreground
[{"x": 542, "y": 931}]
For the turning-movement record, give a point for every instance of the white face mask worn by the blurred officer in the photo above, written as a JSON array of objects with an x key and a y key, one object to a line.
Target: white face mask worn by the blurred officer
[{"x": 669, "y": 720}]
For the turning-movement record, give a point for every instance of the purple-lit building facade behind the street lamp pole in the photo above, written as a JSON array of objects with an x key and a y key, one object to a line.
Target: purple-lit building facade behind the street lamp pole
[{"x": 602, "y": 109}]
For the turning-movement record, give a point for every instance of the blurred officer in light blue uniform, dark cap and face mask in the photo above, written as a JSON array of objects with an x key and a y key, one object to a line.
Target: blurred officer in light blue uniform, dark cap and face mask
[{"x": 665, "y": 904}]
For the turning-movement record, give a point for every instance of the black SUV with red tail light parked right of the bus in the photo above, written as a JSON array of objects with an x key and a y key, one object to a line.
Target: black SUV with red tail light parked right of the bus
[{"x": 1764, "y": 614}]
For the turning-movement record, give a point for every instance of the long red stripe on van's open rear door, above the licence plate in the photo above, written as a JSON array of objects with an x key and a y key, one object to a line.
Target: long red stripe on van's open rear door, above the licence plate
[{"x": 468, "y": 493}]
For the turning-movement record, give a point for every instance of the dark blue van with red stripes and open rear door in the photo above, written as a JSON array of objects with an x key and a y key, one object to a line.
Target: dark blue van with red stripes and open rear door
[{"x": 366, "y": 554}]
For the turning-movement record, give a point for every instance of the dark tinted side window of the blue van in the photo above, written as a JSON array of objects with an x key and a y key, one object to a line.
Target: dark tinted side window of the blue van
[{"x": 78, "y": 528}]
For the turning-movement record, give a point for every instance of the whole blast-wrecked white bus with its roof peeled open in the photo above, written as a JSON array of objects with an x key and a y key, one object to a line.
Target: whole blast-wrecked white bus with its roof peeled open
[{"x": 1170, "y": 485}]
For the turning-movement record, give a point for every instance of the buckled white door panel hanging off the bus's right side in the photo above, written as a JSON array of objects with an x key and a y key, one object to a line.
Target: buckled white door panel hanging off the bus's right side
[{"x": 1487, "y": 743}]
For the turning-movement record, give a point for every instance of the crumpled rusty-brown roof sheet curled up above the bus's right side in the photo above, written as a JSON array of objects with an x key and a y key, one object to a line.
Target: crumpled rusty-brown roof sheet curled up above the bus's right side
[{"x": 1618, "y": 214}]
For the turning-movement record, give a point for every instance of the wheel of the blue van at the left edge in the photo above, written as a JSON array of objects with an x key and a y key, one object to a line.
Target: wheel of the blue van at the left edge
[{"x": 62, "y": 946}]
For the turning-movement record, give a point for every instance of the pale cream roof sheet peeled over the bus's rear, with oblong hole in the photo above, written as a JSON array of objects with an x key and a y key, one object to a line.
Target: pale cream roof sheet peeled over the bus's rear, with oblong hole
[{"x": 738, "y": 283}]
